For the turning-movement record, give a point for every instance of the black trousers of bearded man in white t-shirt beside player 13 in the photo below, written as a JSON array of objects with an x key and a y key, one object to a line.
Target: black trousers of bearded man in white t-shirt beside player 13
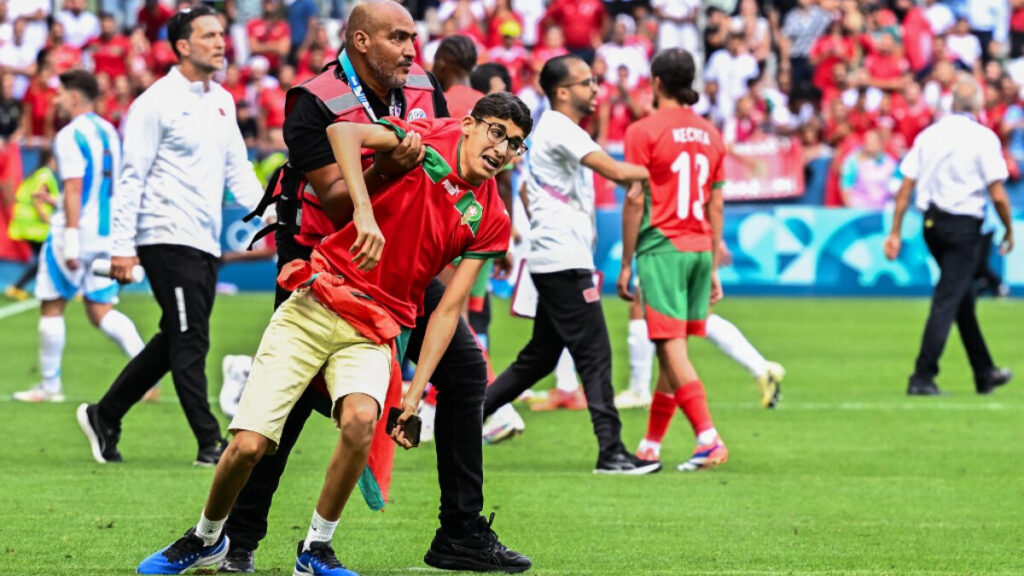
[{"x": 567, "y": 319}]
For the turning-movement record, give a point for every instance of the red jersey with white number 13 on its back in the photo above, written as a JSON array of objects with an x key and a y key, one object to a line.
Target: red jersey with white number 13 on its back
[{"x": 687, "y": 158}]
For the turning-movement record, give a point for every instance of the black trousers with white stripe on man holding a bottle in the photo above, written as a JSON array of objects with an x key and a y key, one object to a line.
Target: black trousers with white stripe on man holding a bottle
[{"x": 184, "y": 280}]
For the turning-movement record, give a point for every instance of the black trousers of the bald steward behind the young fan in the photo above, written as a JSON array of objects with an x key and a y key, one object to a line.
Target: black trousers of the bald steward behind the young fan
[{"x": 460, "y": 379}]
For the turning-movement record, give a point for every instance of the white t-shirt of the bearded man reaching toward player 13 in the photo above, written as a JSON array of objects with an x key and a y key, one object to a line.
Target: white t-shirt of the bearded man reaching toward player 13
[{"x": 561, "y": 193}]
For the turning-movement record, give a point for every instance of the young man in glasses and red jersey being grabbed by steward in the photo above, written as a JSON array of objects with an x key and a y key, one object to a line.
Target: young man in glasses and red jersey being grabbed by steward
[{"x": 349, "y": 314}]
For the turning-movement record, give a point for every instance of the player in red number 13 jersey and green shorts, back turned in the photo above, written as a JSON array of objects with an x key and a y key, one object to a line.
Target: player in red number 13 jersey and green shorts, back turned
[{"x": 675, "y": 227}]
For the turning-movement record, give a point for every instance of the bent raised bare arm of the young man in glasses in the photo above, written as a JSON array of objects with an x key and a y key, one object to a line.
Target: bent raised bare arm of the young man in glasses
[{"x": 348, "y": 140}]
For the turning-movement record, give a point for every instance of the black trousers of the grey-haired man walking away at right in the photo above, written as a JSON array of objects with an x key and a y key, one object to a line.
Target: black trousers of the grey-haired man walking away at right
[{"x": 955, "y": 241}]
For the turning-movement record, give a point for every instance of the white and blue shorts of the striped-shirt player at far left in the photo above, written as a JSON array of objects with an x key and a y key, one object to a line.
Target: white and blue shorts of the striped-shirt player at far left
[{"x": 55, "y": 281}]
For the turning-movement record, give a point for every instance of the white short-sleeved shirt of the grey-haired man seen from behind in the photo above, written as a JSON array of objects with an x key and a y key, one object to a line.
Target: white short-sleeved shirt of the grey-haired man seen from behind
[{"x": 954, "y": 161}]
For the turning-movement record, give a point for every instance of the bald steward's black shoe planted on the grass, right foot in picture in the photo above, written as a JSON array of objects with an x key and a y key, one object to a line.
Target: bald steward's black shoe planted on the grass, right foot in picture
[{"x": 480, "y": 552}]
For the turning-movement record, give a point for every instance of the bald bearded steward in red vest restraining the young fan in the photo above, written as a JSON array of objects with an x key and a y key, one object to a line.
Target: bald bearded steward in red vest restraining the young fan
[{"x": 378, "y": 64}]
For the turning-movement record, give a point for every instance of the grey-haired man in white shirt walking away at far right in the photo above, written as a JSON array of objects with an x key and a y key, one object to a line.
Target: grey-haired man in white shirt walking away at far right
[{"x": 953, "y": 164}]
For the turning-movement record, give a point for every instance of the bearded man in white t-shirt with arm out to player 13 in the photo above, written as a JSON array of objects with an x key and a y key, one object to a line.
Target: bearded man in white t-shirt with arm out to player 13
[{"x": 561, "y": 203}]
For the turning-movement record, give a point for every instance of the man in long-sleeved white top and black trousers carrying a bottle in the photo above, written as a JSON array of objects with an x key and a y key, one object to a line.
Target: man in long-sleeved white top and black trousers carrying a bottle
[{"x": 183, "y": 147}]
